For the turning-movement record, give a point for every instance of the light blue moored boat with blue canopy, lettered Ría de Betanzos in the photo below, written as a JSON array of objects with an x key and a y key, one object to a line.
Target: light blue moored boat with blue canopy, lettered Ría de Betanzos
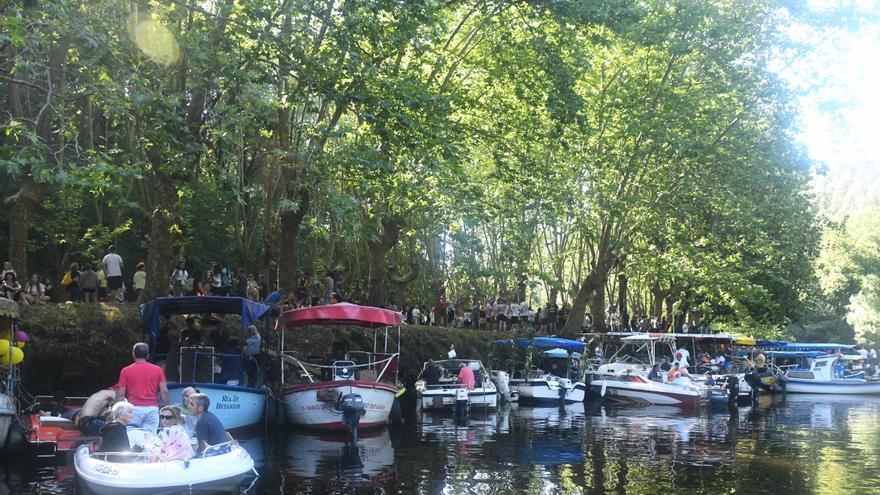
[{"x": 236, "y": 405}]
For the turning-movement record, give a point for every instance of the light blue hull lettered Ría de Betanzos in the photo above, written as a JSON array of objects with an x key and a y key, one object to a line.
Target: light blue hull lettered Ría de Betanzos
[{"x": 235, "y": 406}]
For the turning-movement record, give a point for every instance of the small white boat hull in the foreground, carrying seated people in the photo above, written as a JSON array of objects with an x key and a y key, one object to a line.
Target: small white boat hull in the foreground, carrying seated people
[{"x": 105, "y": 475}]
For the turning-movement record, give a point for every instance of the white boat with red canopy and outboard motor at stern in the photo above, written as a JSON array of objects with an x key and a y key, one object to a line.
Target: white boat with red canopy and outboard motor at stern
[{"x": 319, "y": 391}]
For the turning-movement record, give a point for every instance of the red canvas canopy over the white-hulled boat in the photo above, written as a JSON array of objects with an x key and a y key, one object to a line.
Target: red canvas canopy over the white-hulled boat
[{"x": 340, "y": 314}]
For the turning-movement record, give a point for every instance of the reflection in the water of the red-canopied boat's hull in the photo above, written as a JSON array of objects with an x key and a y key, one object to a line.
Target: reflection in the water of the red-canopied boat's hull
[{"x": 314, "y": 455}]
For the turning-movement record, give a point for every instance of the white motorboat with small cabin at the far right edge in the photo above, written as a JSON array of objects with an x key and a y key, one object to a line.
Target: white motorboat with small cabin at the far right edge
[{"x": 827, "y": 376}]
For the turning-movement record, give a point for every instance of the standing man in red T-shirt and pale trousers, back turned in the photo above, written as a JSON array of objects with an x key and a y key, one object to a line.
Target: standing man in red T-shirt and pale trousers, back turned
[{"x": 143, "y": 385}]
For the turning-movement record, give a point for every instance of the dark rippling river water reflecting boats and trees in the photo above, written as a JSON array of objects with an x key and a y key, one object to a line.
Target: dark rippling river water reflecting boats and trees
[{"x": 802, "y": 444}]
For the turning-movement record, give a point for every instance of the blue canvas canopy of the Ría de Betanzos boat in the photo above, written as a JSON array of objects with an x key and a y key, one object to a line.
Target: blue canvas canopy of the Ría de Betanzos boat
[{"x": 249, "y": 311}]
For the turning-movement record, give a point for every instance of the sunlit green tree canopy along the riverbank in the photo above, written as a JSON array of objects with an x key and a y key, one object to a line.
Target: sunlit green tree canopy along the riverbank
[{"x": 596, "y": 153}]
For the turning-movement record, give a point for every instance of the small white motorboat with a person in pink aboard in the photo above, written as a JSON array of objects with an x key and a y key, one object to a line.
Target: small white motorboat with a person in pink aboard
[{"x": 443, "y": 395}]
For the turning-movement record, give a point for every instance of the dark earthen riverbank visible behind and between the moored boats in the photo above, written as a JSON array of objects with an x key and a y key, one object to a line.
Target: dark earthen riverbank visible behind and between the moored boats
[{"x": 80, "y": 348}]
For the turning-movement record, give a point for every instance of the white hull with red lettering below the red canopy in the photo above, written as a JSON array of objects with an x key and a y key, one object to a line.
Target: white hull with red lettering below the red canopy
[{"x": 305, "y": 406}]
